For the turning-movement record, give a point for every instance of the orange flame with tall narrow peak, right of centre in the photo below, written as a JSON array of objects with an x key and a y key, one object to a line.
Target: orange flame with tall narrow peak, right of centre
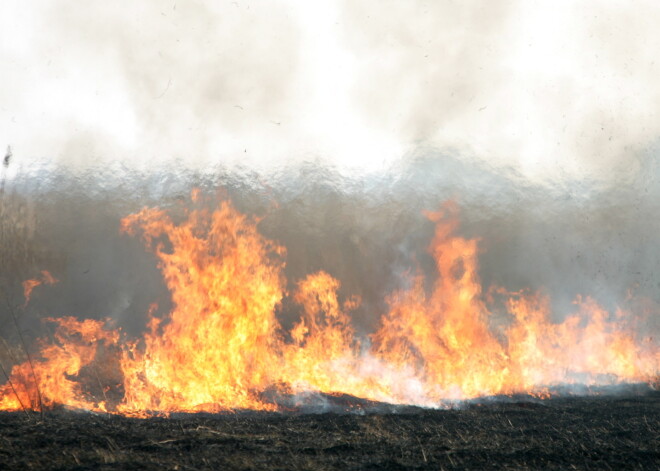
[{"x": 445, "y": 334}]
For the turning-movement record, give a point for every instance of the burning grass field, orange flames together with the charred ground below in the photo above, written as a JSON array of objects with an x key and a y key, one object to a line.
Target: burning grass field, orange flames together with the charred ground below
[{"x": 278, "y": 399}]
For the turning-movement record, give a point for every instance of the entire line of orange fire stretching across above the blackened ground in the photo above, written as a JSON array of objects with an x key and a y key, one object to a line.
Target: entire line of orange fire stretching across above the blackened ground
[{"x": 222, "y": 346}]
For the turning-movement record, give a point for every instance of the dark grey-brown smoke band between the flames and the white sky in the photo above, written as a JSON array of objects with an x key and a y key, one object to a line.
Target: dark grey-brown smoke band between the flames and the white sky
[{"x": 370, "y": 234}]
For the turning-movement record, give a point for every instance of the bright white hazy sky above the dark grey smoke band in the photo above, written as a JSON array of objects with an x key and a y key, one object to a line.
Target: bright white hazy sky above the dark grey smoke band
[{"x": 551, "y": 89}]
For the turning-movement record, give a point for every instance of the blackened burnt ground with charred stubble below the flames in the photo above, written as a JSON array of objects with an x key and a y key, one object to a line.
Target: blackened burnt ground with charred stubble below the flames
[{"x": 564, "y": 433}]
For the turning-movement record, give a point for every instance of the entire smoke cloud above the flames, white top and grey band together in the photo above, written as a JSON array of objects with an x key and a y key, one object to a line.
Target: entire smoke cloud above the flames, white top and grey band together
[{"x": 338, "y": 124}]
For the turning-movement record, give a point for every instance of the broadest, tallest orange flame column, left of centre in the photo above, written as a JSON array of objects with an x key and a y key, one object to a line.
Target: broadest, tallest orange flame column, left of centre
[{"x": 218, "y": 346}]
